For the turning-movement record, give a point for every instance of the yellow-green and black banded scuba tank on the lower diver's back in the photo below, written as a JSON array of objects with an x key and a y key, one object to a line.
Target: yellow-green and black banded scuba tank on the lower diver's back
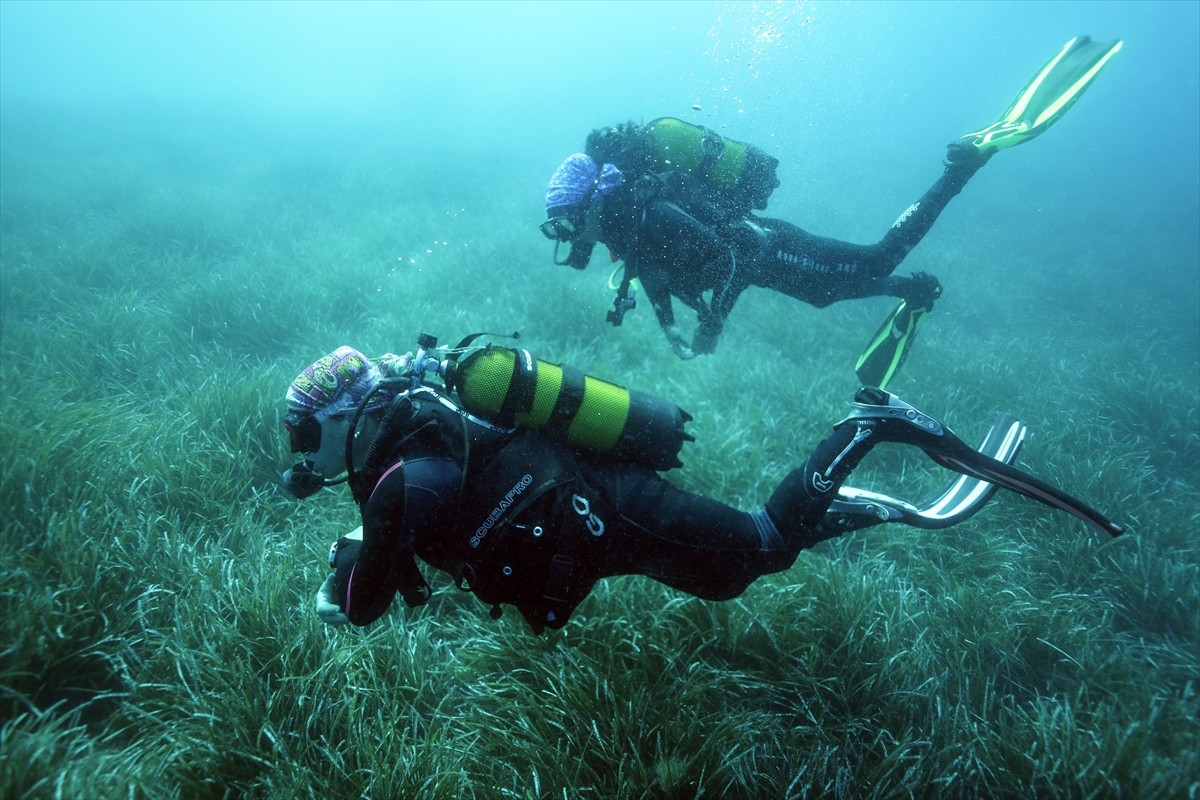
[{"x": 511, "y": 387}]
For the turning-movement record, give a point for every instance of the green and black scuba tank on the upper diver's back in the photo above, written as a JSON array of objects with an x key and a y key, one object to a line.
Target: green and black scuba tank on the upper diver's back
[{"x": 734, "y": 169}]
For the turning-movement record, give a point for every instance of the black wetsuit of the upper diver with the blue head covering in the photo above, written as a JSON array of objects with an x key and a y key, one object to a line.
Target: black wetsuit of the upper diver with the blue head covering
[{"x": 679, "y": 239}]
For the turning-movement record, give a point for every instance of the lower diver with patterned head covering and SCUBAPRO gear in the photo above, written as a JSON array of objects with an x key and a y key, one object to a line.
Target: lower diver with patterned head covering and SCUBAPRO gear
[{"x": 529, "y": 482}]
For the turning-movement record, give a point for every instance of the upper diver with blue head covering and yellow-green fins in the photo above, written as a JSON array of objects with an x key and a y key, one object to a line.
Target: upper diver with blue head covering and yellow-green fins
[{"x": 674, "y": 202}]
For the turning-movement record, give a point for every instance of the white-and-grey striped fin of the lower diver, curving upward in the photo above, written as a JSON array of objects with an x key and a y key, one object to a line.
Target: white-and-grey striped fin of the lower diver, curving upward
[{"x": 856, "y": 509}]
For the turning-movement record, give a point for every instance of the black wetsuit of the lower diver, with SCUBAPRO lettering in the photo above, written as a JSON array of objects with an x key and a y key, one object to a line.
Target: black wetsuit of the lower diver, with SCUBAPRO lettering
[{"x": 521, "y": 520}]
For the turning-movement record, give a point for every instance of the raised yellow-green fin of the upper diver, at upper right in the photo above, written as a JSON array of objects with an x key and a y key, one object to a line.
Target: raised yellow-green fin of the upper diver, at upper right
[{"x": 1047, "y": 98}]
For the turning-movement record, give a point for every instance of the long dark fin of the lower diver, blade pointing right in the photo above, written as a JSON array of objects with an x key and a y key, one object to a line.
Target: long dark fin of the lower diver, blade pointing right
[{"x": 889, "y": 418}]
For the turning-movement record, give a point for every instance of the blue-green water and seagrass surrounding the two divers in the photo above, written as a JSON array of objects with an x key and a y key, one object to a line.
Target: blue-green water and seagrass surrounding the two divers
[{"x": 200, "y": 200}]
